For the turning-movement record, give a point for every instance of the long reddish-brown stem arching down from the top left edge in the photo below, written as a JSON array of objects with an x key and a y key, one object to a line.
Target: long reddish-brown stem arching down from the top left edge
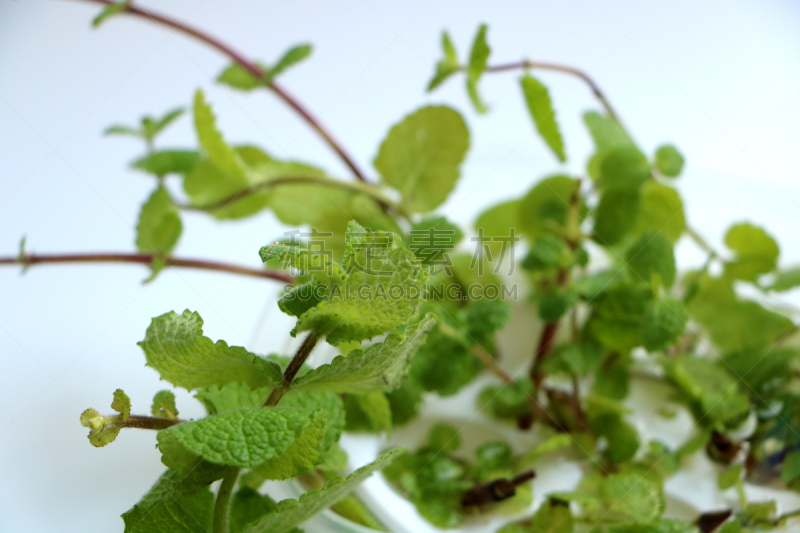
[{"x": 251, "y": 67}]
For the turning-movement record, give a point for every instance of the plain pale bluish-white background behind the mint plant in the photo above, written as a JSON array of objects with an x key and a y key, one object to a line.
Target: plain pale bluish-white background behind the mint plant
[{"x": 719, "y": 79}]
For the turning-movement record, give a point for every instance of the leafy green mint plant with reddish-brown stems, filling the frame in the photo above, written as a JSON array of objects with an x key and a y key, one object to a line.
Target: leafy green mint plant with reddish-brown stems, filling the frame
[{"x": 390, "y": 284}]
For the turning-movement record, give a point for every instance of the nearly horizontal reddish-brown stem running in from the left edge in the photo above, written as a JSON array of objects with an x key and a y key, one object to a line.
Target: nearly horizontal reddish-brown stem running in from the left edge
[{"x": 146, "y": 259}]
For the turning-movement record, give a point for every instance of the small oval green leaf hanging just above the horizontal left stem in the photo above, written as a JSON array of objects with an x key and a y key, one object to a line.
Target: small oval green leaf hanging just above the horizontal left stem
[{"x": 159, "y": 225}]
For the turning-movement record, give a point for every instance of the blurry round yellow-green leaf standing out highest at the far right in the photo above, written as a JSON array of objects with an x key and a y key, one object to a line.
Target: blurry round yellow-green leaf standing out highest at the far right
[{"x": 756, "y": 252}]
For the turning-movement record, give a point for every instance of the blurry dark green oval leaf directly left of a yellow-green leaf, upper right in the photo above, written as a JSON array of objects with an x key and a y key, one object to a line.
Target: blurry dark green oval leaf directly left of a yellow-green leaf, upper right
[{"x": 616, "y": 215}]
